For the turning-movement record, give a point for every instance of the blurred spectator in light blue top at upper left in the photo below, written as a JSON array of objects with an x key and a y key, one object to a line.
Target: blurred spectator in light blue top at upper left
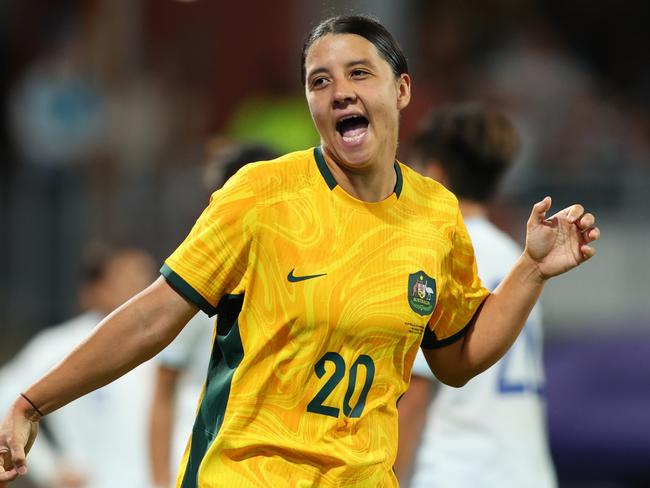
[{"x": 56, "y": 118}]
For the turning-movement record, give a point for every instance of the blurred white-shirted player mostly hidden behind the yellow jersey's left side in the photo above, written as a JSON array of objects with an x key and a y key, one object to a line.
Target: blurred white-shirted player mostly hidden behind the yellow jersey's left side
[{"x": 181, "y": 366}]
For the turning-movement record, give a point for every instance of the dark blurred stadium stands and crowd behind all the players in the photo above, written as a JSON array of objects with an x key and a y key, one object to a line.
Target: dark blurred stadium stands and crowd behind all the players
[{"x": 107, "y": 105}]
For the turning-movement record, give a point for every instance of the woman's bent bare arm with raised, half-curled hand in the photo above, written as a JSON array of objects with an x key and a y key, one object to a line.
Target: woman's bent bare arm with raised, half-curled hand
[{"x": 553, "y": 246}]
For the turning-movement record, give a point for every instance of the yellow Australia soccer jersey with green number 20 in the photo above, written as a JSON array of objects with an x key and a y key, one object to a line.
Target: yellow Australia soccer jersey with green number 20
[{"x": 322, "y": 302}]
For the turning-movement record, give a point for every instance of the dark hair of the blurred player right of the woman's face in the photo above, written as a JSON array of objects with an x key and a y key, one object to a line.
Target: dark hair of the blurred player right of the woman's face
[{"x": 474, "y": 146}]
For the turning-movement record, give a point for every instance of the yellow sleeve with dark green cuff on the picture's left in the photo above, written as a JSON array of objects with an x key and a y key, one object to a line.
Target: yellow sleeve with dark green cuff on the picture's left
[{"x": 213, "y": 259}]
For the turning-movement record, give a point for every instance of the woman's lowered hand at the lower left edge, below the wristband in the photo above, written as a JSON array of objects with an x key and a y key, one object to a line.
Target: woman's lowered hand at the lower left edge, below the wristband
[{"x": 17, "y": 434}]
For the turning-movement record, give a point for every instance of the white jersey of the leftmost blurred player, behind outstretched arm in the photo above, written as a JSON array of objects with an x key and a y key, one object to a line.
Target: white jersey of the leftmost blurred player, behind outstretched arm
[{"x": 102, "y": 434}]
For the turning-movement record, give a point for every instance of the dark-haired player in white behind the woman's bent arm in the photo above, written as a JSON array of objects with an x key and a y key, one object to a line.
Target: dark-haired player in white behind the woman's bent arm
[{"x": 492, "y": 432}]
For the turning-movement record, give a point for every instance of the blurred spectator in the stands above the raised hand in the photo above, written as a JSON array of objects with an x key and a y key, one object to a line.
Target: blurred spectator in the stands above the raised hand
[{"x": 566, "y": 120}]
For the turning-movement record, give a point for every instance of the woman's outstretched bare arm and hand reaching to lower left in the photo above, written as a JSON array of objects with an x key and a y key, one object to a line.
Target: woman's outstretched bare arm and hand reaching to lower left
[{"x": 130, "y": 335}]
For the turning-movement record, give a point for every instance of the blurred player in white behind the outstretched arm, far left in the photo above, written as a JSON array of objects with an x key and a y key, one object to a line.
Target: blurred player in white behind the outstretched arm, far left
[{"x": 100, "y": 441}]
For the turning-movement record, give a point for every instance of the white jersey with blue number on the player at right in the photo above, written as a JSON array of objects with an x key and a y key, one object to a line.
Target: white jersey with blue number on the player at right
[{"x": 492, "y": 432}]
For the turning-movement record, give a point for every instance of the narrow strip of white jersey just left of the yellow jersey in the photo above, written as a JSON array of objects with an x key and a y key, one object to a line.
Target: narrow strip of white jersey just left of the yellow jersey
[{"x": 189, "y": 353}]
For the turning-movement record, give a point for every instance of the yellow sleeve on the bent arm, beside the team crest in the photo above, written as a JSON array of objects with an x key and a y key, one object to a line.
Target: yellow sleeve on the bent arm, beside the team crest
[{"x": 460, "y": 294}]
